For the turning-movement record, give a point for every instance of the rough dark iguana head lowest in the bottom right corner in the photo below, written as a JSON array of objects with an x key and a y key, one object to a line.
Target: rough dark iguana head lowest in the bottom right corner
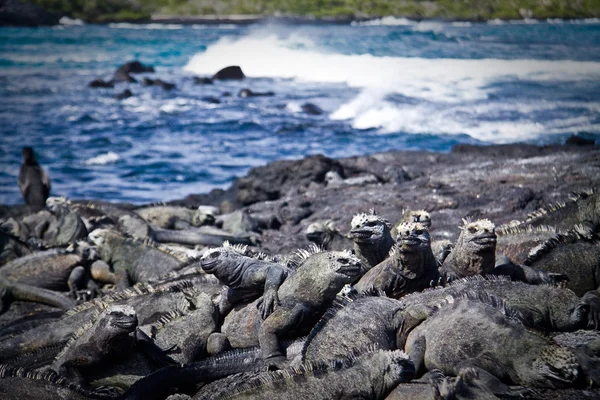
[{"x": 555, "y": 366}]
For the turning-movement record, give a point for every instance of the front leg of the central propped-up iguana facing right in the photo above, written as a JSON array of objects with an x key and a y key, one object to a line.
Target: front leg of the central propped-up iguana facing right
[{"x": 278, "y": 323}]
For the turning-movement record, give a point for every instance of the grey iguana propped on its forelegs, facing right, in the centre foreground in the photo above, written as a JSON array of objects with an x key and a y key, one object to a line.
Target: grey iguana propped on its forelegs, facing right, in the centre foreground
[{"x": 304, "y": 296}]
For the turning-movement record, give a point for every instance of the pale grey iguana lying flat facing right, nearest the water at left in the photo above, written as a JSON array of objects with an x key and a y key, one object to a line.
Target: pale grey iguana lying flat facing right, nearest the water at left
[{"x": 172, "y": 217}]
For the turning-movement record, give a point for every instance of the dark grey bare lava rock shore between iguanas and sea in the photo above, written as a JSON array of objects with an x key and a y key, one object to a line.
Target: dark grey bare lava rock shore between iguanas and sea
[{"x": 500, "y": 182}]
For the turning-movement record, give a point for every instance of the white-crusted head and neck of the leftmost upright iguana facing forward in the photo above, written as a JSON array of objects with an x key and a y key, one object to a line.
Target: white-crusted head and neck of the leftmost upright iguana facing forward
[{"x": 372, "y": 238}]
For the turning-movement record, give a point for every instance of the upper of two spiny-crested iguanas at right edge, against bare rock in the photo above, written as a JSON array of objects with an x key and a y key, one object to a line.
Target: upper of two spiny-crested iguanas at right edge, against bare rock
[{"x": 582, "y": 209}]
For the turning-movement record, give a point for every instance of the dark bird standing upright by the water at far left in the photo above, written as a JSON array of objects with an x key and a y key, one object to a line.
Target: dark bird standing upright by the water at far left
[{"x": 33, "y": 180}]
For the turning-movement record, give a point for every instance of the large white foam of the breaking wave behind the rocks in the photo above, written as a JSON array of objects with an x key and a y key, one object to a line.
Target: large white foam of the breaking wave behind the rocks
[{"x": 443, "y": 89}]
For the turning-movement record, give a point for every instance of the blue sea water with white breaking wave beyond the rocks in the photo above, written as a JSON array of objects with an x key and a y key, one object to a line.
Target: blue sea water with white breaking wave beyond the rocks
[{"x": 387, "y": 84}]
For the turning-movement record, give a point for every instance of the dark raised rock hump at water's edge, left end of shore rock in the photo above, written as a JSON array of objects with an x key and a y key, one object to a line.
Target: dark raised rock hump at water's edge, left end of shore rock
[{"x": 272, "y": 181}]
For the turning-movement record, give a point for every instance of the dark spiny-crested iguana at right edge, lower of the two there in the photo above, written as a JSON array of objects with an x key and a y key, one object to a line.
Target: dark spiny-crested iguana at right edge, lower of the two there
[{"x": 576, "y": 255}]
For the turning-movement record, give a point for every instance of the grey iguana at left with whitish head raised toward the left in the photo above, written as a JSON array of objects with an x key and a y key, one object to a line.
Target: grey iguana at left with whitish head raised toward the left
[{"x": 132, "y": 261}]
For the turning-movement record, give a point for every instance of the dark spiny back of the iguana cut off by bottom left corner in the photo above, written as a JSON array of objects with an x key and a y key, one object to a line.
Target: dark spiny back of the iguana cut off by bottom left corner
[{"x": 21, "y": 384}]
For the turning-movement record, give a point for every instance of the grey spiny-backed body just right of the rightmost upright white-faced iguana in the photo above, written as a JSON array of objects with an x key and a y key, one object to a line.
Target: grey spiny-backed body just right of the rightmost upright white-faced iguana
[{"x": 516, "y": 242}]
